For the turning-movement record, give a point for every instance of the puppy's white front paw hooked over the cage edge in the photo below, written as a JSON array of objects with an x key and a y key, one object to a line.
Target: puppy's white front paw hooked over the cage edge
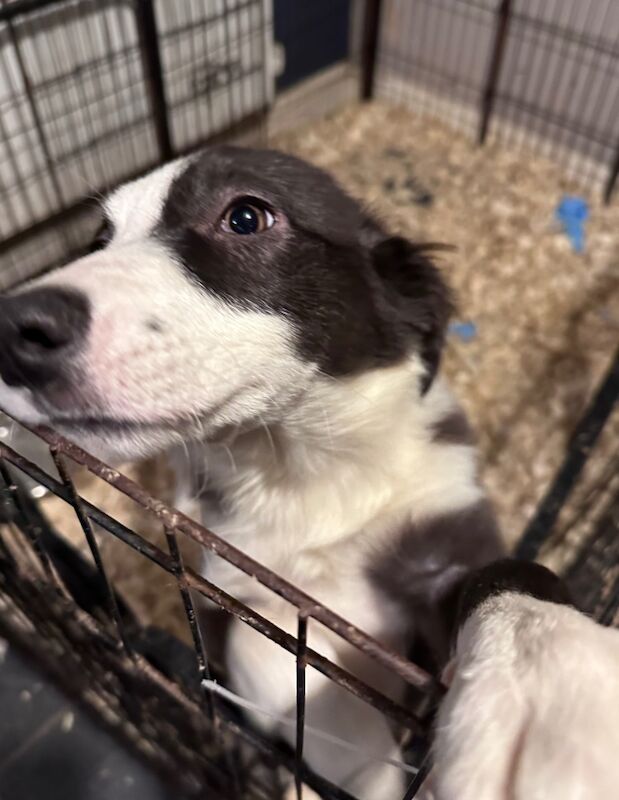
[{"x": 532, "y": 711}]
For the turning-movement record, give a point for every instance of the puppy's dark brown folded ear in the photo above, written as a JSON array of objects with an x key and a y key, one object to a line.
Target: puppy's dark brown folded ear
[{"x": 415, "y": 291}]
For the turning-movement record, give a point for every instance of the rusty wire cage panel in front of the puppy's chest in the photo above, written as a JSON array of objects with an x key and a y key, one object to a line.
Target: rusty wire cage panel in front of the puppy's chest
[{"x": 174, "y": 728}]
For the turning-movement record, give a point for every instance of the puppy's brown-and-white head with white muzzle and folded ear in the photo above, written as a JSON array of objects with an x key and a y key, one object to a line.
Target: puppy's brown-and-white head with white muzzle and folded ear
[{"x": 226, "y": 284}]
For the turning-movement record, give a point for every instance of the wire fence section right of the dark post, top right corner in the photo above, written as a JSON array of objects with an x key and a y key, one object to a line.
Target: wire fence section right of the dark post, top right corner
[{"x": 558, "y": 89}]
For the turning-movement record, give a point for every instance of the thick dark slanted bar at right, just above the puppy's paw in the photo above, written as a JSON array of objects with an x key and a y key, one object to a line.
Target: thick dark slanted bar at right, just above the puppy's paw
[{"x": 583, "y": 439}]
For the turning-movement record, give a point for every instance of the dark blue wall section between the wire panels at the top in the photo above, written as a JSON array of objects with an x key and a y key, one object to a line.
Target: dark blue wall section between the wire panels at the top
[{"x": 314, "y": 33}]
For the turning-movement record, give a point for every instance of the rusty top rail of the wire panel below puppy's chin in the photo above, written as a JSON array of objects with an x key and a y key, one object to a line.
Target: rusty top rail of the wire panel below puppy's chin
[{"x": 172, "y": 518}]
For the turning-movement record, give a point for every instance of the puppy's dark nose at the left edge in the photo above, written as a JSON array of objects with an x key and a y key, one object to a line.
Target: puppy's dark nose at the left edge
[{"x": 40, "y": 332}]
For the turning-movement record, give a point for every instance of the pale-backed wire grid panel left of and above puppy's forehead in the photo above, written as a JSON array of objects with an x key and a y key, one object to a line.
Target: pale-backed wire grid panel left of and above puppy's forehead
[{"x": 95, "y": 92}]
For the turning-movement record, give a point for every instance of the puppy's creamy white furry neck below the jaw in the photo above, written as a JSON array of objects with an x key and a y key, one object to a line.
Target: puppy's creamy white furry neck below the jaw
[{"x": 342, "y": 460}]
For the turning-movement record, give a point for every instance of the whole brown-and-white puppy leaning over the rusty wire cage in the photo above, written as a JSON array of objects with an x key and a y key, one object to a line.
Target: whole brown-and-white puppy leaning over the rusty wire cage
[{"x": 246, "y": 311}]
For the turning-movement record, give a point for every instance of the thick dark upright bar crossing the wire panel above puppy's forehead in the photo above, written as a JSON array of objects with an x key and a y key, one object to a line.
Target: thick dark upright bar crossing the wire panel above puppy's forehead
[{"x": 149, "y": 44}]
